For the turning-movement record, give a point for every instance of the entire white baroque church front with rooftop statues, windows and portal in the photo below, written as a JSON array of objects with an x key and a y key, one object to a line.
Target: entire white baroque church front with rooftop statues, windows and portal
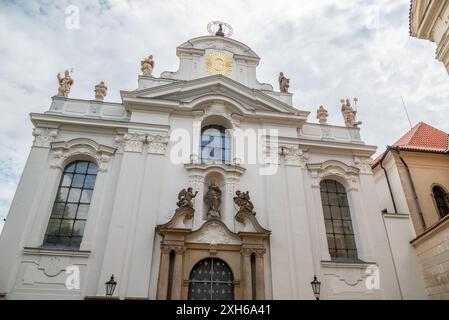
[{"x": 109, "y": 189}]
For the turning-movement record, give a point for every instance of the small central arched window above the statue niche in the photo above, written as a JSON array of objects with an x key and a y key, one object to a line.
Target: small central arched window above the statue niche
[{"x": 215, "y": 145}]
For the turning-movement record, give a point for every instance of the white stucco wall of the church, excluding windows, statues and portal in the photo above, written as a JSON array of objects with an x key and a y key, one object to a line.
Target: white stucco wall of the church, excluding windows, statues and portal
[{"x": 138, "y": 182}]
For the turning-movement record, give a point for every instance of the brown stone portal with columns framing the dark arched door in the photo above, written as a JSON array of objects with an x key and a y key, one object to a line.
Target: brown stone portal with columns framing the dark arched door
[{"x": 241, "y": 251}]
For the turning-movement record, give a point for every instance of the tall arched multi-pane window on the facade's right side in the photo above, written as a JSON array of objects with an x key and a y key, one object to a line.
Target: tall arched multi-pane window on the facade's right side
[{"x": 337, "y": 218}]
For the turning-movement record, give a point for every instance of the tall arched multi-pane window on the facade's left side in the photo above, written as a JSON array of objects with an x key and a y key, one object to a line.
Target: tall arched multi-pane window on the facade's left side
[{"x": 69, "y": 214}]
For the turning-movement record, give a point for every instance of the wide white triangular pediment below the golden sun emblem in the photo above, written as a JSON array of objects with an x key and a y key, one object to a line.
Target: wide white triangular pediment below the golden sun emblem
[{"x": 186, "y": 96}]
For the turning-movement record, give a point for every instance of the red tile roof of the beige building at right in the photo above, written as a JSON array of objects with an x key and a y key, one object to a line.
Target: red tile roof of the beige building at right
[{"x": 421, "y": 137}]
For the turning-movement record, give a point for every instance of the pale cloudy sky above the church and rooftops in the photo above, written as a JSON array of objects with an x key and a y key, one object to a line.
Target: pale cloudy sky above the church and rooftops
[{"x": 329, "y": 49}]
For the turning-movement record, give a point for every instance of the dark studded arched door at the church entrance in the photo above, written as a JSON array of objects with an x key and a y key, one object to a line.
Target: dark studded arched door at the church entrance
[{"x": 211, "y": 279}]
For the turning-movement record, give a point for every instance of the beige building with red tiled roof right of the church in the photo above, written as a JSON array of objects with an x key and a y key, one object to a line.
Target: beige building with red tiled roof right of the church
[{"x": 412, "y": 180}]
